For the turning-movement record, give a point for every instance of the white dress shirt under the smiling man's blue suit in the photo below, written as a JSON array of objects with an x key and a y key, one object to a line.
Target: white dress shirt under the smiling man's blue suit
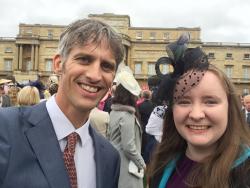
[{"x": 84, "y": 152}]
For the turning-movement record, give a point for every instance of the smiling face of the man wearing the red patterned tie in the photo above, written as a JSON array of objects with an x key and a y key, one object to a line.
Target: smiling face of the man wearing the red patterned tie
[{"x": 86, "y": 76}]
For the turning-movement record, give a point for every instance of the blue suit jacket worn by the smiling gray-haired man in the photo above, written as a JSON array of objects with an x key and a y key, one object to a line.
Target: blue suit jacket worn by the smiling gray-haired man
[{"x": 30, "y": 155}]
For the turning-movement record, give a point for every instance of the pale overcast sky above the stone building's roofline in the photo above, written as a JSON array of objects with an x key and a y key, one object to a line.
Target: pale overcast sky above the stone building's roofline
[{"x": 219, "y": 20}]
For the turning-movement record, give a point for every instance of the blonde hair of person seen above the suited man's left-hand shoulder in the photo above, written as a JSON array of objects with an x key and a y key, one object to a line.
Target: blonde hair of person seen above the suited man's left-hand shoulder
[{"x": 28, "y": 96}]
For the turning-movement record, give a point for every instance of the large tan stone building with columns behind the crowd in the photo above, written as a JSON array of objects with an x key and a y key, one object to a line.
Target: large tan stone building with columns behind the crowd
[{"x": 30, "y": 53}]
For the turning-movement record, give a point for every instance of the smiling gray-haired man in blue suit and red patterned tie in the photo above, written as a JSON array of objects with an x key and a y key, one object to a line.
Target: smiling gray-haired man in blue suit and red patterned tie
[{"x": 37, "y": 143}]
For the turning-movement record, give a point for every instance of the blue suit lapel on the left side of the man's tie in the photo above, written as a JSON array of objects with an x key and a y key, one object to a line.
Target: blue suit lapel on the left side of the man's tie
[{"x": 43, "y": 140}]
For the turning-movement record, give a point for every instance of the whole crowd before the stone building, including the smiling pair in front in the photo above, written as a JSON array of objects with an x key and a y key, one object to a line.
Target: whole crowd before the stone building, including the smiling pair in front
[{"x": 92, "y": 126}]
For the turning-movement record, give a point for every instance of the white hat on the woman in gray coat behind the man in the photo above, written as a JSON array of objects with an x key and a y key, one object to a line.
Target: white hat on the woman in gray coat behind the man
[{"x": 127, "y": 80}]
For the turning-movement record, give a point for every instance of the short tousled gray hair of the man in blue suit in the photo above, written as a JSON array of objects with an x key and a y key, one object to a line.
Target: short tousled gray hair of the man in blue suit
[{"x": 86, "y": 31}]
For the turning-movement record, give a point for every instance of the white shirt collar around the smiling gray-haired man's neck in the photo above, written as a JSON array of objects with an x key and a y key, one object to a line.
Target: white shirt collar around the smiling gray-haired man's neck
[{"x": 62, "y": 126}]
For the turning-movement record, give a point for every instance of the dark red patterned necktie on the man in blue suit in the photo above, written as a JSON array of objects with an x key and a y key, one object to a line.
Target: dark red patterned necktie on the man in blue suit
[{"x": 68, "y": 156}]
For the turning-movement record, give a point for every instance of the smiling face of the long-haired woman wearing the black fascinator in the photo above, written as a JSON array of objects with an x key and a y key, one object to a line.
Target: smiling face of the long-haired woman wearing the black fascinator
[{"x": 201, "y": 115}]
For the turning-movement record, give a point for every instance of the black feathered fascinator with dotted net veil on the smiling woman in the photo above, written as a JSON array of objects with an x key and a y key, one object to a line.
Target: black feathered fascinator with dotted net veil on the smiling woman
[{"x": 189, "y": 66}]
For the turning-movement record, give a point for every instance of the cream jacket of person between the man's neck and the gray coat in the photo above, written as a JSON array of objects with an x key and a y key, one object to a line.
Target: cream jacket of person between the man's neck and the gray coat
[{"x": 100, "y": 121}]
